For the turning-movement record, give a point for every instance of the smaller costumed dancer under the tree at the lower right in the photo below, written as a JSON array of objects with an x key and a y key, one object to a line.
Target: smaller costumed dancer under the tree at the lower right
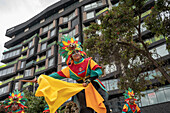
[{"x": 130, "y": 106}]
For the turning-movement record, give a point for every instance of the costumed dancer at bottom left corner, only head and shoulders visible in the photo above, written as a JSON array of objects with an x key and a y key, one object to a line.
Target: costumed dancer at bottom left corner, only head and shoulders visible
[{"x": 16, "y": 101}]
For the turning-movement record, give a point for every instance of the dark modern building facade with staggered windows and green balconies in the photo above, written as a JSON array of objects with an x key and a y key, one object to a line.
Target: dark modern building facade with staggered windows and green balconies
[{"x": 33, "y": 50}]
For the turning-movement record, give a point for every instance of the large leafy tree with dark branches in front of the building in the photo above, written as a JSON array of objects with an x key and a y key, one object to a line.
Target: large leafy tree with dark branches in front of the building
[{"x": 113, "y": 41}]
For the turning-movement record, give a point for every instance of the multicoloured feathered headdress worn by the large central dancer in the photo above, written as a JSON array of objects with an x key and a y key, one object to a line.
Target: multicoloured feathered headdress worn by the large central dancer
[{"x": 68, "y": 45}]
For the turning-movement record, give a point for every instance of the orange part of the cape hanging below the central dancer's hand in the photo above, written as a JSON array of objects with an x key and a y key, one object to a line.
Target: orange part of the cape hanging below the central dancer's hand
[{"x": 94, "y": 99}]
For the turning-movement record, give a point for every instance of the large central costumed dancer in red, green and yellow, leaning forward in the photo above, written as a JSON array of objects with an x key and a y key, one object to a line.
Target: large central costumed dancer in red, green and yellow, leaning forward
[{"x": 83, "y": 70}]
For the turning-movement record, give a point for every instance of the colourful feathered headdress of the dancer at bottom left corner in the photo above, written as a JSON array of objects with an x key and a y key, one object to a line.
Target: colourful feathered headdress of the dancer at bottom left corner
[{"x": 16, "y": 97}]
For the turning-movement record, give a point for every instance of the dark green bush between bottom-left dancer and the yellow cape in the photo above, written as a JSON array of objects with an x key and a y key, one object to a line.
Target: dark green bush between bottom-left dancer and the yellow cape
[{"x": 34, "y": 104}]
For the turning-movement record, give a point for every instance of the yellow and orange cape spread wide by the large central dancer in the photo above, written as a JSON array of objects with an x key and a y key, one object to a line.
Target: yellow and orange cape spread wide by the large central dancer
[{"x": 56, "y": 92}]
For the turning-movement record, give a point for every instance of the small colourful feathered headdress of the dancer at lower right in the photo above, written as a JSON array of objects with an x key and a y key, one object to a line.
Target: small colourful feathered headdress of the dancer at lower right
[{"x": 128, "y": 94}]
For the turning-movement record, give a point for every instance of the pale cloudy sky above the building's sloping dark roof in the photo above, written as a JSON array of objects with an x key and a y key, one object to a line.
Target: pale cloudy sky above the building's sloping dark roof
[{"x": 15, "y": 12}]
